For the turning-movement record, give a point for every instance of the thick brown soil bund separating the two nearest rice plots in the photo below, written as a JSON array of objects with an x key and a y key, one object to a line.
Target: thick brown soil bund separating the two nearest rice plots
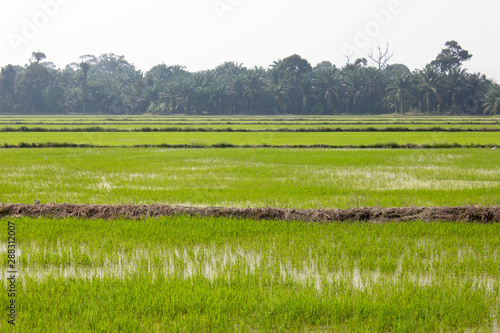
[{"x": 471, "y": 214}]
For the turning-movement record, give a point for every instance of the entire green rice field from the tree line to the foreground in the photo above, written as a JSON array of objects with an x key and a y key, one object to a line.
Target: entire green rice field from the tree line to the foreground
[{"x": 191, "y": 274}]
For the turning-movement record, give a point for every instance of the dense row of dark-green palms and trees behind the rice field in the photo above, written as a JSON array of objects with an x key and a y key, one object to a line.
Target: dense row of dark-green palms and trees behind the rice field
[{"x": 108, "y": 84}]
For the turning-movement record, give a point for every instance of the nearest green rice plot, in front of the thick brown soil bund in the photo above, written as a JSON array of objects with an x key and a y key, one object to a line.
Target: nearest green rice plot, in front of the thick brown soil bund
[{"x": 185, "y": 274}]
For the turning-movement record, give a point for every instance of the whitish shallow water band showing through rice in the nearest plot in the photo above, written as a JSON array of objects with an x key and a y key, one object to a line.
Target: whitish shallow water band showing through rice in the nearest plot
[{"x": 215, "y": 262}]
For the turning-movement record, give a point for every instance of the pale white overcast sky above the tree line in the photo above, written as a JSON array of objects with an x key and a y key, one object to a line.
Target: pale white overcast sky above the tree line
[{"x": 201, "y": 34}]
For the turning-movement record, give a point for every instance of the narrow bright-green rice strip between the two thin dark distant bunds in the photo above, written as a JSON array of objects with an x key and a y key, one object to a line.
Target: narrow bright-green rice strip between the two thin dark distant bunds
[{"x": 177, "y": 138}]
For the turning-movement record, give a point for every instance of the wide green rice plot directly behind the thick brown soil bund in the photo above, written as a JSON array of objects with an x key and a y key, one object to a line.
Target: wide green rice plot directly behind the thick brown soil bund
[{"x": 291, "y": 178}]
